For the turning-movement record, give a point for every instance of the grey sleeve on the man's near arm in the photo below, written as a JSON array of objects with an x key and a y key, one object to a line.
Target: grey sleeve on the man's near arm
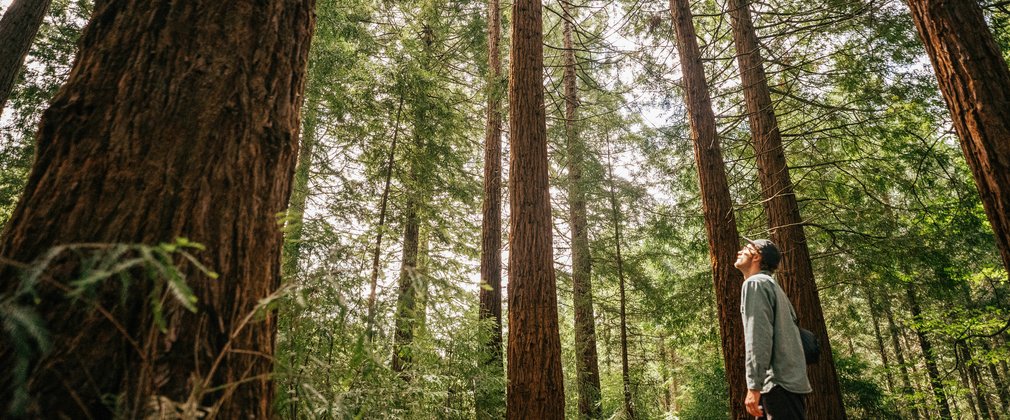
[{"x": 758, "y": 311}]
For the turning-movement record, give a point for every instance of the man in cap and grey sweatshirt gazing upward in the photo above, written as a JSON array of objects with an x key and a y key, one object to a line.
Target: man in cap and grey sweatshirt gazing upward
[{"x": 776, "y": 367}]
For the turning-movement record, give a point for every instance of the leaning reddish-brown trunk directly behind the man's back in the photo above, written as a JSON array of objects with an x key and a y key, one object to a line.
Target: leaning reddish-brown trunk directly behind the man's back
[{"x": 795, "y": 273}]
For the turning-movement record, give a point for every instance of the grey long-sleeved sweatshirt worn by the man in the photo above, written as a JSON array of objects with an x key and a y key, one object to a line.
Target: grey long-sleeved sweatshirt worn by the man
[{"x": 774, "y": 351}]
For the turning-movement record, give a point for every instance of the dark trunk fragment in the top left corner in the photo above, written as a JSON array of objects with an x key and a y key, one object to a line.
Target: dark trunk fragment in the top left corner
[{"x": 18, "y": 30}]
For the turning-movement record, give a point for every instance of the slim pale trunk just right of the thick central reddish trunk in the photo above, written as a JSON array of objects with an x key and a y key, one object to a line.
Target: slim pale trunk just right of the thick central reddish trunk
[{"x": 587, "y": 366}]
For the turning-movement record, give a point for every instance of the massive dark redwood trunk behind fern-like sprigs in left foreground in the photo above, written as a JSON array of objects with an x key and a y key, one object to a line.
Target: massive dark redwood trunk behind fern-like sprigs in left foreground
[{"x": 178, "y": 121}]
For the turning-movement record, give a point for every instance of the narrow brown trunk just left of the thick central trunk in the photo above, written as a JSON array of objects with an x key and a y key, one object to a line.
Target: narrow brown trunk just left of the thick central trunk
[{"x": 490, "y": 402}]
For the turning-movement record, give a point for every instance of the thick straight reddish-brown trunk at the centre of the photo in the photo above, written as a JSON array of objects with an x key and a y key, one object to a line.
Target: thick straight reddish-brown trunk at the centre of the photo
[{"x": 536, "y": 383}]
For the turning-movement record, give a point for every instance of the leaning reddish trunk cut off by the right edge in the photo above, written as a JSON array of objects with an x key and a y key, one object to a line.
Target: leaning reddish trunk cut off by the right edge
[{"x": 975, "y": 81}]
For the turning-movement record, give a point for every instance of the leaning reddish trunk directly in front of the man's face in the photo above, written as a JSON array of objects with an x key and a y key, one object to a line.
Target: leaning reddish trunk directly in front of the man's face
[{"x": 718, "y": 206}]
